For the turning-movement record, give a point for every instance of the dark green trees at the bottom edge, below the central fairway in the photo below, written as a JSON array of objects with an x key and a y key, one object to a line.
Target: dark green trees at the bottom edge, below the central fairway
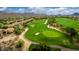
[{"x": 40, "y": 47}]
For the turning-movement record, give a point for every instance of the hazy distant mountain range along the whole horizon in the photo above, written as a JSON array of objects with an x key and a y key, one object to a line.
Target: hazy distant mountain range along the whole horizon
[{"x": 3, "y": 14}]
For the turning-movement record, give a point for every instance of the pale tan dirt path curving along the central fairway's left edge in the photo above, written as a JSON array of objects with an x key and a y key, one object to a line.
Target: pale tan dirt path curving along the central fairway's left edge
[{"x": 27, "y": 42}]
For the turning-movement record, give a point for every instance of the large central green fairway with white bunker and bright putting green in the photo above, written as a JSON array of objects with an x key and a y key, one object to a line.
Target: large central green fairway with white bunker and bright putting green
[{"x": 46, "y": 35}]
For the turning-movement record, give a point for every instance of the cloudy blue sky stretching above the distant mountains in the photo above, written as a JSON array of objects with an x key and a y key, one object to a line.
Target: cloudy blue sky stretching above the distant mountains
[{"x": 41, "y": 10}]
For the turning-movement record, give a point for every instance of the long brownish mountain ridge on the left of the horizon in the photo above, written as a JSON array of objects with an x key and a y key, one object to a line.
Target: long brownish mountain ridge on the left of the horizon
[{"x": 3, "y": 14}]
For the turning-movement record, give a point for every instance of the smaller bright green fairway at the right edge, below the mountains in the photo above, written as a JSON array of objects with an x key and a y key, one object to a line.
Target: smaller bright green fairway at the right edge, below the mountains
[{"x": 66, "y": 22}]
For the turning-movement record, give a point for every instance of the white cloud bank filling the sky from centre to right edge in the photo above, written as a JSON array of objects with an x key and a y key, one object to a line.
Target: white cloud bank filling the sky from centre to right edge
[{"x": 54, "y": 11}]
